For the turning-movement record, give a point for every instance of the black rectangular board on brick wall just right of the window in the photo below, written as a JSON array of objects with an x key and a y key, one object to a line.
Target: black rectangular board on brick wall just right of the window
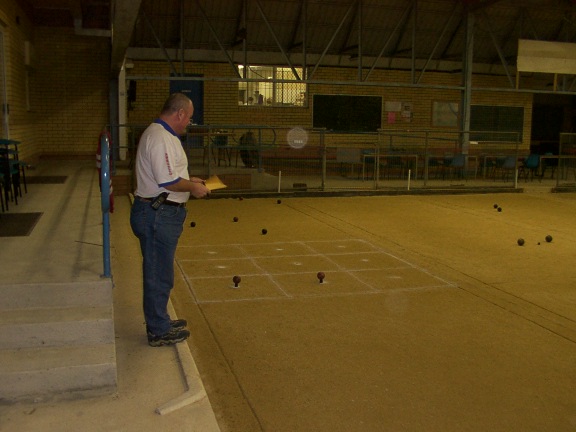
[{"x": 347, "y": 113}]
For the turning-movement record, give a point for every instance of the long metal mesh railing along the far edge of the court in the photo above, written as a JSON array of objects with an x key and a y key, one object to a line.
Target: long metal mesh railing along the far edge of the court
[{"x": 283, "y": 159}]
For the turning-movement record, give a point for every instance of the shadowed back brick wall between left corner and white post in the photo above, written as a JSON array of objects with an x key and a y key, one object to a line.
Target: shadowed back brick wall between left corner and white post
[{"x": 71, "y": 90}]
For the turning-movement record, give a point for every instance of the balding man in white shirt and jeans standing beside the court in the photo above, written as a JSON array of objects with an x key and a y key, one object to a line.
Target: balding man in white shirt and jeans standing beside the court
[{"x": 159, "y": 211}]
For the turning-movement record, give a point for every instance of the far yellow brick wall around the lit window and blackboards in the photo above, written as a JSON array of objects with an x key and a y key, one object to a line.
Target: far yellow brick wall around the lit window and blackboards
[{"x": 221, "y": 105}]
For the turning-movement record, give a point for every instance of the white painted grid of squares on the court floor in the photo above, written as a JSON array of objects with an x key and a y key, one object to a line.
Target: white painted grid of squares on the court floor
[{"x": 289, "y": 269}]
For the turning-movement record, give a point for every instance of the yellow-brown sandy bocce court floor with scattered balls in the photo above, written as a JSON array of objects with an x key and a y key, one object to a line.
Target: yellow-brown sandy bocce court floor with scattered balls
[{"x": 430, "y": 317}]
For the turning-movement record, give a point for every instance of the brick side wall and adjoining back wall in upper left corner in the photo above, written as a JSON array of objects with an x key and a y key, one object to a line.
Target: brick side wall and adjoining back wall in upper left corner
[{"x": 59, "y": 101}]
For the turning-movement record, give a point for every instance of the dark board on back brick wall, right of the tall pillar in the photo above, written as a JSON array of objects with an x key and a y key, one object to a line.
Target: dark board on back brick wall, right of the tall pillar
[{"x": 503, "y": 119}]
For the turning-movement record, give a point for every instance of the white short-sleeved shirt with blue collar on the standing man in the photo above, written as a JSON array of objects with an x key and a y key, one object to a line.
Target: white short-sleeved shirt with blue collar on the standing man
[{"x": 160, "y": 161}]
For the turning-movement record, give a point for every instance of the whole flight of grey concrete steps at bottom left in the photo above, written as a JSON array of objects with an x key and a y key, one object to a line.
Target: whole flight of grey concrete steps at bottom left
[{"x": 56, "y": 340}]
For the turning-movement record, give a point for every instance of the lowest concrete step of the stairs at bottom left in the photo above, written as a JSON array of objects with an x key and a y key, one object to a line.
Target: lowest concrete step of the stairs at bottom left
[{"x": 37, "y": 374}]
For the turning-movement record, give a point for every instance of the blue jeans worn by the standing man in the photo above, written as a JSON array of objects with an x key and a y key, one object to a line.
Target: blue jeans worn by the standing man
[{"x": 158, "y": 232}]
